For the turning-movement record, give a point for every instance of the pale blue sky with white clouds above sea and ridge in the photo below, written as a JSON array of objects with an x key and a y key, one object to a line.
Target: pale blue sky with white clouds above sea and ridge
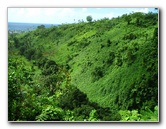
[{"x": 66, "y": 15}]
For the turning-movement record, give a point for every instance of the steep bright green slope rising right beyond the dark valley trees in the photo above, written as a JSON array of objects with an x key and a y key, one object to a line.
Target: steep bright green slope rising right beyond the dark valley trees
[{"x": 114, "y": 62}]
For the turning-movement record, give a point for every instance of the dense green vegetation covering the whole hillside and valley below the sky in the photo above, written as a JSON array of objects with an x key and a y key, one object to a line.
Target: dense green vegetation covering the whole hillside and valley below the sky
[{"x": 105, "y": 70}]
